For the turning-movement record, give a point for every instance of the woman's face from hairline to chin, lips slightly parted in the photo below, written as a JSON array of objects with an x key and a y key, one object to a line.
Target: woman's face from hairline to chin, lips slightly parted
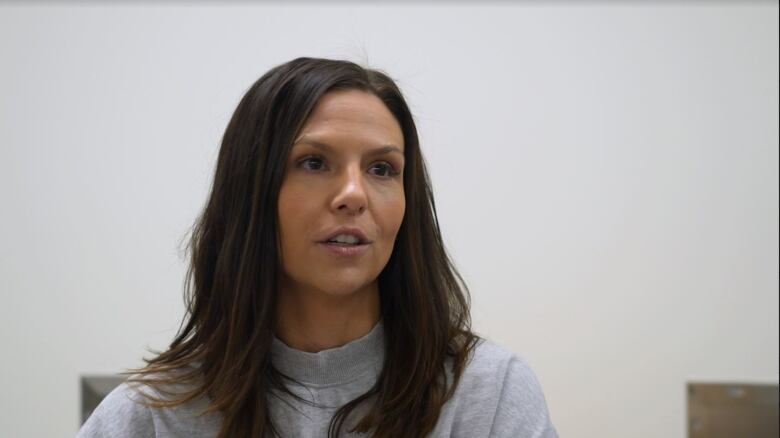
[{"x": 344, "y": 176}]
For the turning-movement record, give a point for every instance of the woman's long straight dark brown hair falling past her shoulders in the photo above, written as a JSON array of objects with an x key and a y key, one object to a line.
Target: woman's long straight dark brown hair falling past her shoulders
[{"x": 222, "y": 348}]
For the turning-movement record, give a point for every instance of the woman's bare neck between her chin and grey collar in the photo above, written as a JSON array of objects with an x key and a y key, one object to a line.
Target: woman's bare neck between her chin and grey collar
[{"x": 312, "y": 320}]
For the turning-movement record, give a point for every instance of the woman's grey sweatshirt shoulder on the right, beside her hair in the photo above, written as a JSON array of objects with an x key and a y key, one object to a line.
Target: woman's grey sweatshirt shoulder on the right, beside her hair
[{"x": 499, "y": 393}]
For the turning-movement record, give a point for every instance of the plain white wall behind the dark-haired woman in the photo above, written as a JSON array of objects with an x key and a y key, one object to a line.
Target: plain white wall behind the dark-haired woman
[{"x": 606, "y": 177}]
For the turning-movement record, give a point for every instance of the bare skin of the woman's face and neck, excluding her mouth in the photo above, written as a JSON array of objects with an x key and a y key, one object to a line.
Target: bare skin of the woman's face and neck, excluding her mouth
[{"x": 326, "y": 301}]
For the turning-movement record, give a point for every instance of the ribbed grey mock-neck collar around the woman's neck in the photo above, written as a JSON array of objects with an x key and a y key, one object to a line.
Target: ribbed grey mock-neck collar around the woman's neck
[{"x": 333, "y": 366}]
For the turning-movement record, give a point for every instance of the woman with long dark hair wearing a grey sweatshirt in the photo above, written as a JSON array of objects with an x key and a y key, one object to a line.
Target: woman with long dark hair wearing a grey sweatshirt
[{"x": 321, "y": 301}]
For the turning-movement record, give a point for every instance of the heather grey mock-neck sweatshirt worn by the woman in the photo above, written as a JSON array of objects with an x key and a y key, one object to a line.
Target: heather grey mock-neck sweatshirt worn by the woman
[{"x": 498, "y": 396}]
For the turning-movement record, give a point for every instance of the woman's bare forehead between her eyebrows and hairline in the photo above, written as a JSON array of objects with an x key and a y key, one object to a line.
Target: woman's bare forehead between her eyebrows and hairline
[{"x": 352, "y": 116}]
